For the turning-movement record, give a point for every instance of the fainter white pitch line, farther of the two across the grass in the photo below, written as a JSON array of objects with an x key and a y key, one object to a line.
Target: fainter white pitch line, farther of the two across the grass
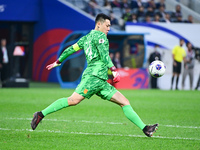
[{"x": 101, "y": 122}]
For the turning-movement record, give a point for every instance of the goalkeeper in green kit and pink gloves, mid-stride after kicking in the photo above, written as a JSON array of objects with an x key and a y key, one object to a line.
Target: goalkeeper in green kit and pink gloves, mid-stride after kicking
[{"x": 94, "y": 78}]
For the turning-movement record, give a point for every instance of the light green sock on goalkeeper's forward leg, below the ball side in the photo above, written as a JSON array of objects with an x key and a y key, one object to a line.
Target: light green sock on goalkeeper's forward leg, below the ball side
[{"x": 132, "y": 116}]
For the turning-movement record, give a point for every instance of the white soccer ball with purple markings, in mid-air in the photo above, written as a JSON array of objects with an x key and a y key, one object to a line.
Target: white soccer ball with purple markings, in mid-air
[{"x": 157, "y": 69}]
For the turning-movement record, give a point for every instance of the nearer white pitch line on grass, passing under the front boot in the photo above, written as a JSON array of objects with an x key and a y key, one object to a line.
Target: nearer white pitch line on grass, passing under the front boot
[{"x": 98, "y": 134}]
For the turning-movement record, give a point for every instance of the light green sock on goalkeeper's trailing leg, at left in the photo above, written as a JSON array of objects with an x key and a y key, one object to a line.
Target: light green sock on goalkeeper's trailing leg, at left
[{"x": 55, "y": 106}]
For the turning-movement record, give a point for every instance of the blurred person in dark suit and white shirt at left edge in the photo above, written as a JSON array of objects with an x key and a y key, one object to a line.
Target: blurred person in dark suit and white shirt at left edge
[{"x": 5, "y": 61}]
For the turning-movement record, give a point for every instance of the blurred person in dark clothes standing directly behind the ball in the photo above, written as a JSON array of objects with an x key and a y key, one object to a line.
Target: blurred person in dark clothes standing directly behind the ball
[{"x": 154, "y": 56}]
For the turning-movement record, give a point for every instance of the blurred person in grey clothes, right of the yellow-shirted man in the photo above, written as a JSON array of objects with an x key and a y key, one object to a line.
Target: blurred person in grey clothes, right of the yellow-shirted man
[{"x": 188, "y": 65}]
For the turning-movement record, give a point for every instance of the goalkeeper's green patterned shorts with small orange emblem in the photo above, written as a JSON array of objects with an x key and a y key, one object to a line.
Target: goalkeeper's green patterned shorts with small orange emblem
[{"x": 91, "y": 85}]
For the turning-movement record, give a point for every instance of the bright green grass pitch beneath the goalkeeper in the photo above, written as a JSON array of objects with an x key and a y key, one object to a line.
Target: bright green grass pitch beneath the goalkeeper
[{"x": 96, "y": 123}]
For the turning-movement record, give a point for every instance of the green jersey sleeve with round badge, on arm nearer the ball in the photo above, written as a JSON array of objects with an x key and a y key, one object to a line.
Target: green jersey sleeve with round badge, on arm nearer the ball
[{"x": 102, "y": 45}]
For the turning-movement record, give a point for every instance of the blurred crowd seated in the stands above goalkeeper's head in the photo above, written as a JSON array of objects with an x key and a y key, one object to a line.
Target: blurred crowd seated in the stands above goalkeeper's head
[{"x": 142, "y": 11}]
